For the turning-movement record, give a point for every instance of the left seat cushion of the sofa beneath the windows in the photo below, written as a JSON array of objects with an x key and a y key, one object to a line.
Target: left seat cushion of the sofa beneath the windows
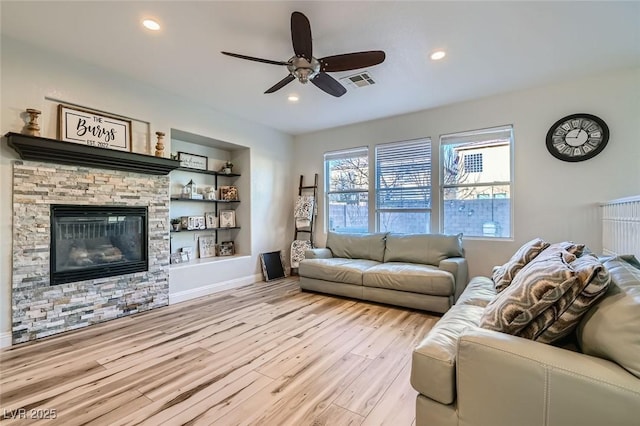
[{"x": 336, "y": 269}]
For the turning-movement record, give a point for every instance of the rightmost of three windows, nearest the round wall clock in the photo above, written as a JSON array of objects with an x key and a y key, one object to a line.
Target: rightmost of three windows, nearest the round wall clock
[{"x": 476, "y": 182}]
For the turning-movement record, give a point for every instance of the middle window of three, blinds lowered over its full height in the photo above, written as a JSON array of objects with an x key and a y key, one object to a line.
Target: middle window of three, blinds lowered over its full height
[{"x": 403, "y": 186}]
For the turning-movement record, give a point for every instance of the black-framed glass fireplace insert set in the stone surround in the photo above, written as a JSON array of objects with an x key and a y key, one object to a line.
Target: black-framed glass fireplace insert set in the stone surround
[{"x": 89, "y": 242}]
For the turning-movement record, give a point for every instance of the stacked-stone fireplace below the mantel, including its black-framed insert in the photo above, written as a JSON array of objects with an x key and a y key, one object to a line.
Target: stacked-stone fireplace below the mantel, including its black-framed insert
[{"x": 42, "y": 304}]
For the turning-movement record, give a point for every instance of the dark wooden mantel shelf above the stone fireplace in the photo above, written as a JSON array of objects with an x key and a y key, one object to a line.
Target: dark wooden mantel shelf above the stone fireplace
[{"x": 54, "y": 151}]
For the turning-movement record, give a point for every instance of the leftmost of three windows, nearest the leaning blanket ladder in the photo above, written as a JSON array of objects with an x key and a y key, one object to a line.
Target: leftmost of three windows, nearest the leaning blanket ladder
[{"x": 347, "y": 190}]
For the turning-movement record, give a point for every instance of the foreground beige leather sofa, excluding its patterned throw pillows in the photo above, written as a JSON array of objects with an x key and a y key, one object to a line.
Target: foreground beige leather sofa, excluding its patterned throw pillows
[{"x": 466, "y": 375}]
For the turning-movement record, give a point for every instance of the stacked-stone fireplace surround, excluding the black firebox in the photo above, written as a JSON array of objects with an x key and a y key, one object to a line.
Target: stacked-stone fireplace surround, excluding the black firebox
[{"x": 39, "y": 309}]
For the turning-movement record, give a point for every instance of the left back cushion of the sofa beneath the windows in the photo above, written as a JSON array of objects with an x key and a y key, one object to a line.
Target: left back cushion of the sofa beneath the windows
[{"x": 357, "y": 246}]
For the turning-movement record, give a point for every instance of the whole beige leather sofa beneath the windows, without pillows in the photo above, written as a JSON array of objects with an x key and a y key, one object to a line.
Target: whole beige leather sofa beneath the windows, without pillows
[{"x": 421, "y": 271}]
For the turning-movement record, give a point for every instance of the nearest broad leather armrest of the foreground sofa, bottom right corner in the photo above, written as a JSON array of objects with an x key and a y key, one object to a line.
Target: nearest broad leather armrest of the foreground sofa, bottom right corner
[{"x": 507, "y": 380}]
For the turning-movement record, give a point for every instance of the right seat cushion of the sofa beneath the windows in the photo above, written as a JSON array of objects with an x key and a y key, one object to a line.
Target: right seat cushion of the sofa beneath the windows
[{"x": 413, "y": 277}]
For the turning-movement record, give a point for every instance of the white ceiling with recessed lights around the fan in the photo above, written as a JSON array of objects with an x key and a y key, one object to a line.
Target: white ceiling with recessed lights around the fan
[{"x": 492, "y": 47}]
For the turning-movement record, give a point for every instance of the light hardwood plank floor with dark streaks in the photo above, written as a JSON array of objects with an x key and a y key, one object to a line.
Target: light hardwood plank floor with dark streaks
[{"x": 264, "y": 354}]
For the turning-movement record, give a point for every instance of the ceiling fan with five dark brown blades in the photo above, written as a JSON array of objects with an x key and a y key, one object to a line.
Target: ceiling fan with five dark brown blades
[{"x": 304, "y": 67}]
